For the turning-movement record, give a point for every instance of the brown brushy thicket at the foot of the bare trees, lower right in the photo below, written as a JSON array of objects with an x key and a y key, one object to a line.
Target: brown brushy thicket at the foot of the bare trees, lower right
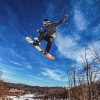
[{"x": 82, "y": 92}]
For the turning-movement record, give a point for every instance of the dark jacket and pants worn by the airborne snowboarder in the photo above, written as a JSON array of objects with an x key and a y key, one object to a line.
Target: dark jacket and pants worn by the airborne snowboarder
[{"x": 49, "y": 33}]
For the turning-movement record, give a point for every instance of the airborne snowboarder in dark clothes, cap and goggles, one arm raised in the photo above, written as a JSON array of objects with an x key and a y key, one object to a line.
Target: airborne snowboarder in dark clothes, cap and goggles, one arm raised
[{"x": 49, "y": 33}]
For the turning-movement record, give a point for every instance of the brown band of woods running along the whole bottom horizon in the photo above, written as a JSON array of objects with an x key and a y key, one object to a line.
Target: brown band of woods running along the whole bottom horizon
[{"x": 74, "y": 93}]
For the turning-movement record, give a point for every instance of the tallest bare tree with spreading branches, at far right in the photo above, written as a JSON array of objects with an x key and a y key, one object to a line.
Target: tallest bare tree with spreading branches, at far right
[{"x": 90, "y": 71}]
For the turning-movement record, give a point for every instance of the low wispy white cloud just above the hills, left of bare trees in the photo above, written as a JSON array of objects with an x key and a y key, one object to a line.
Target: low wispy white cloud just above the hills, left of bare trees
[{"x": 54, "y": 74}]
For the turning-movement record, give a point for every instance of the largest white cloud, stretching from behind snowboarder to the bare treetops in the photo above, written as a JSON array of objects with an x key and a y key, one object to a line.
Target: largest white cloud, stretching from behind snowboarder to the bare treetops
[{"x": 70, "y": 48}]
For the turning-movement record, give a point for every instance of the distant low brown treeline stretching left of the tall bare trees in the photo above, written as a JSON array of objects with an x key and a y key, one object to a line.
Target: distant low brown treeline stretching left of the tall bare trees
[{"x": 42, "y": 92}]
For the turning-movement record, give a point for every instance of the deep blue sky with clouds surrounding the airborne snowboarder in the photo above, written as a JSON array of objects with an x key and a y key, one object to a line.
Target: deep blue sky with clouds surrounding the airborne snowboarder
[{"x": 21, "y": 63}]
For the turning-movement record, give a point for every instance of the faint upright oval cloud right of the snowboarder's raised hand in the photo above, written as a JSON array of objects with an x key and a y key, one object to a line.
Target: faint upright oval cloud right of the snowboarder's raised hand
[{"x": 79, "y": 20}]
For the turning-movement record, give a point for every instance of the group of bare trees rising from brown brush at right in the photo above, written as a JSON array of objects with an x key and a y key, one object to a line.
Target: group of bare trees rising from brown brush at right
[{"x": 84, "y": 79}]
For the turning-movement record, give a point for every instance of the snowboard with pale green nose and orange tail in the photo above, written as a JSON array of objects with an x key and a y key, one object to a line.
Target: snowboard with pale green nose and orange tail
[{"x": 48, "y": 55}]
